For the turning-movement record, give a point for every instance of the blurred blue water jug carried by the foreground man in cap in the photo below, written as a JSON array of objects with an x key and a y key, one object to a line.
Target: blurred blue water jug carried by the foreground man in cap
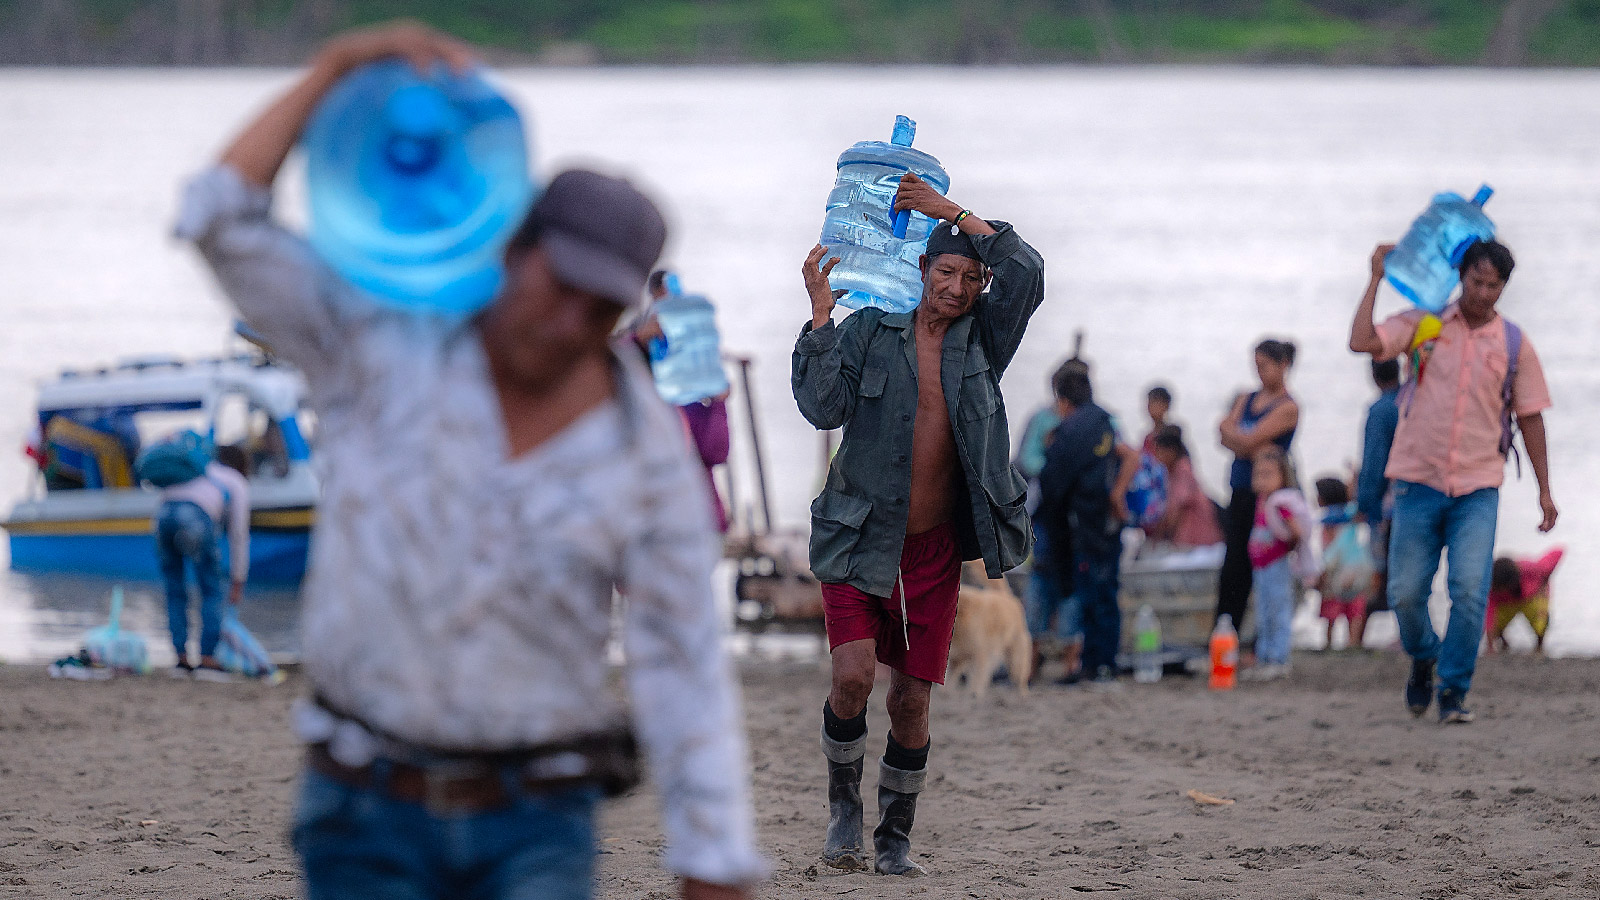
[{"x": 417, "y": 183}]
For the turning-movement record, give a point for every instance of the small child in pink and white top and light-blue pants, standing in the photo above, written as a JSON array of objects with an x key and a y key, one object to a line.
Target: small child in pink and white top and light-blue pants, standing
[{"x": 1278, "y": 555}]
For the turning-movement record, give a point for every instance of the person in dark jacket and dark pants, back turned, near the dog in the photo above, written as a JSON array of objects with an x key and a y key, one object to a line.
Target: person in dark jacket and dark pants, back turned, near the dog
[{"x": 1087, "y": 468}]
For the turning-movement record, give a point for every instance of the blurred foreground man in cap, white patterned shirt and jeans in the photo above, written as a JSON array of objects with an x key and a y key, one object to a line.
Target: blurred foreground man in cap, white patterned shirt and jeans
[{"x": 489, "y": 483}]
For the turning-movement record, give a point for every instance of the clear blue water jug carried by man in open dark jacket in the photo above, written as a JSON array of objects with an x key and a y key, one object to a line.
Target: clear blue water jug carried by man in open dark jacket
[{"x": 878, "y": 249}]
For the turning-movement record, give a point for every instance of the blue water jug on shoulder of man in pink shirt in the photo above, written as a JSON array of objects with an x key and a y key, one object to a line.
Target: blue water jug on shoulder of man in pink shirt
[{"x": 1425, "y": 265}]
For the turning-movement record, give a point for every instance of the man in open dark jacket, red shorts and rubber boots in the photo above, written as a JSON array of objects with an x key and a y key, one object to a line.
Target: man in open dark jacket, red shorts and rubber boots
[{"x": 922, "y": 481}]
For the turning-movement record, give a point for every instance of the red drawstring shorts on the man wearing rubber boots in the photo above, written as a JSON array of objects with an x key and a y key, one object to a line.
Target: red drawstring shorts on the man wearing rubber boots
[{"x": 932, "y": 574}]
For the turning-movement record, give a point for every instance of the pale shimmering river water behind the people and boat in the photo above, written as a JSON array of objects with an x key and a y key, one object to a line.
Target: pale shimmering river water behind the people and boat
[{"x": 1183, "y": 215}]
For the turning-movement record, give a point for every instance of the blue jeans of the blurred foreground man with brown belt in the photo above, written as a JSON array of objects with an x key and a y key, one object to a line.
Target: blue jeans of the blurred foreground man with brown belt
[{"x": 358, "y": 843}]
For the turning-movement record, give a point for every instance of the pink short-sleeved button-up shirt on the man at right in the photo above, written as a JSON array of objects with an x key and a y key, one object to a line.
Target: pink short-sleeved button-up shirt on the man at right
[{"x": 1449, "y": 438}]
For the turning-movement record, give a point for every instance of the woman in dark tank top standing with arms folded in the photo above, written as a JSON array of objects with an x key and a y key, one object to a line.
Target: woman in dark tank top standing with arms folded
[{"x": 1260, "y": 419}]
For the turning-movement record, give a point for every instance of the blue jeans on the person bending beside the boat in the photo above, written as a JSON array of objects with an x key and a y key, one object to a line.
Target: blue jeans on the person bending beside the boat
[{"x": 186, "y": 534}]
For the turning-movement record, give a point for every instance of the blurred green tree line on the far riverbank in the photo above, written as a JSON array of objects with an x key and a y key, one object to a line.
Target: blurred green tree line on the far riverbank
[{"x": 223, "y": 33}]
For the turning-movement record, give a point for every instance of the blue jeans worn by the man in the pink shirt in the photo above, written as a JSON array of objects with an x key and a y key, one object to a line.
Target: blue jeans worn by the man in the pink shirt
[{"x": 1425, "y": 524}]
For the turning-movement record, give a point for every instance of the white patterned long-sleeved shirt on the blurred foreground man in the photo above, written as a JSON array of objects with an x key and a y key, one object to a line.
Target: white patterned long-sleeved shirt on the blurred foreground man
[{"x": 462, "y": 600}]
